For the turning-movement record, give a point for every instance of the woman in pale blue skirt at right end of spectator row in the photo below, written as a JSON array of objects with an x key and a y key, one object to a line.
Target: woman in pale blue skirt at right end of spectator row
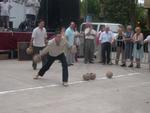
[{"x": 138, "y": 52}]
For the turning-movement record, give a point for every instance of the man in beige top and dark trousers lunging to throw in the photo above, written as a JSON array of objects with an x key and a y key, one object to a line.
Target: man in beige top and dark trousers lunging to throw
[{"x": 55, "y": 50}]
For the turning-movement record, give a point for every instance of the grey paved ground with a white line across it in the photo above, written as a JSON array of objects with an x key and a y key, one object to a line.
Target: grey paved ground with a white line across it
[{"x": 127, "y": 92}]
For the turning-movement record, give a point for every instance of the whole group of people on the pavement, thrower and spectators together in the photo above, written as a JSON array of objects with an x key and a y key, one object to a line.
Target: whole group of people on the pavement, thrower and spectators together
[{"x": 65, "y": 46}]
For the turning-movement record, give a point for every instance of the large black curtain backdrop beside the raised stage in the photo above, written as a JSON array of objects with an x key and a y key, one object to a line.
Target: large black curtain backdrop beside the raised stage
[{"x": 57, "y": 13}]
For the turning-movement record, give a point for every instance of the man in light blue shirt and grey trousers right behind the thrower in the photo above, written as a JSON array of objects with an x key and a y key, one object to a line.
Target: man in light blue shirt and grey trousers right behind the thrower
[{"x": 70, "y": 35}]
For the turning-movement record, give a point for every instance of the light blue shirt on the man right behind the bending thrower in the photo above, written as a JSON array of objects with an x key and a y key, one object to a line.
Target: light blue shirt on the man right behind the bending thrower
[{"x": 70, "y": 35}]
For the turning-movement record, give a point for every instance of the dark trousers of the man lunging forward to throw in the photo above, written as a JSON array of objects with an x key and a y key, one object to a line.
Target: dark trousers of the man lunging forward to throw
[{"x": 50, "y": 60}]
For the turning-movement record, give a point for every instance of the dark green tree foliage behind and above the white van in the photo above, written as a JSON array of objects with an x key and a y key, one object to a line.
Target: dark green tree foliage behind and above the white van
[{"x": 119, "y": 11}]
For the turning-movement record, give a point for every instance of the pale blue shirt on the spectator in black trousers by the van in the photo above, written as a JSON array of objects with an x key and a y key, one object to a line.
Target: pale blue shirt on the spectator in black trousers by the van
[{"x": 106, "y": 37}]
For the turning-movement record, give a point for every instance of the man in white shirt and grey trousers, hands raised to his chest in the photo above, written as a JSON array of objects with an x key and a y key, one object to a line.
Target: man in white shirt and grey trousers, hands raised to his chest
[{"x": 90, "y": 35}]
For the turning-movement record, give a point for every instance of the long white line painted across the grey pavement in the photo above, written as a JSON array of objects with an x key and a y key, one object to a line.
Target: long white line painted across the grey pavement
[{"x": 56, "y": 85}]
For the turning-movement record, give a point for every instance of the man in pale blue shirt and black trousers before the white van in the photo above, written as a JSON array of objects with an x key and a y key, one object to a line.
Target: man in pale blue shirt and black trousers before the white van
[{"x": 106, "y": 39}]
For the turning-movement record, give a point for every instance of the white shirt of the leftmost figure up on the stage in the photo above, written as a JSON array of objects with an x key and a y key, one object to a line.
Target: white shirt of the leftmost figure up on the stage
[{"x": 5, "y": 8}]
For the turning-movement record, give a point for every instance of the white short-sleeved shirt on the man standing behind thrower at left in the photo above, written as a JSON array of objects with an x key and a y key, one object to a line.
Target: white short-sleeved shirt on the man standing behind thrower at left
[{"x": 38, "y": 36}]
